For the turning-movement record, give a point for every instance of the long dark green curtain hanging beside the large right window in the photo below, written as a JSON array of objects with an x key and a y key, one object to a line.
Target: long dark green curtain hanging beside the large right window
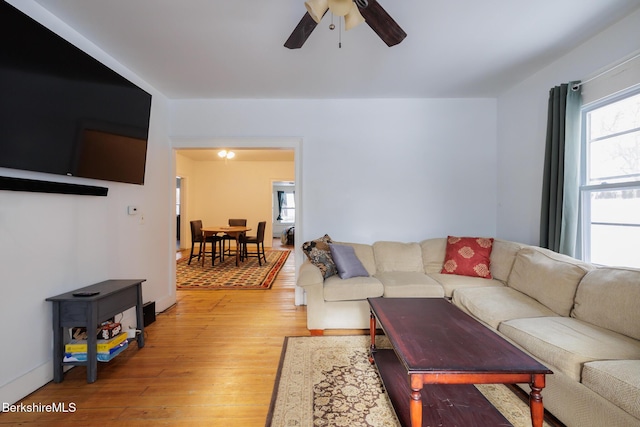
[{"x": 560, "y": 187}]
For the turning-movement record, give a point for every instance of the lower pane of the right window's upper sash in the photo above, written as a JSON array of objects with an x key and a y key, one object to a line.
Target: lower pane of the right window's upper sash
[{"x": 615, "y": 159}]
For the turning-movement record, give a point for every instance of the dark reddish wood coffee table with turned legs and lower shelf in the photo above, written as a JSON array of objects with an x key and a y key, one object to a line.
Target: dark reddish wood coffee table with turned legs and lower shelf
[{"x": 439, "y": 352}]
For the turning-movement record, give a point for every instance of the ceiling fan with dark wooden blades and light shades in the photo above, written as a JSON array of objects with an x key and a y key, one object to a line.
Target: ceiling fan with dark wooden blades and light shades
[{"x": 374, "y": 15}]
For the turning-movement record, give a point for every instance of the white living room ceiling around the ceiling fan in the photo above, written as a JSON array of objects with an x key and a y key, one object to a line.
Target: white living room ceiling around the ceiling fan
[{"x": 234, "y": 48}]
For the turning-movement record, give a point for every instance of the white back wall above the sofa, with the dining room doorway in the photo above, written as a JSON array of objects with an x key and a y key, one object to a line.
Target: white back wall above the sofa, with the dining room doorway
[{"x": 402, "y": 169}]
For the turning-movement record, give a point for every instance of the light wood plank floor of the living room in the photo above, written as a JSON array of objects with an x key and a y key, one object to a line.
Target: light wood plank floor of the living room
[{"x": 210, "y": 360}]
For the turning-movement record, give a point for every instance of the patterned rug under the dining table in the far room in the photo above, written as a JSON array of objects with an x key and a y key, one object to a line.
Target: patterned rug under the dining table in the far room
[{"x": 249, "y": 275}]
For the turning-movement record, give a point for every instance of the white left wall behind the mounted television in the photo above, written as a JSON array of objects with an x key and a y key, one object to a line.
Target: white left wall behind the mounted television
[{"x": 54, "y": 243}]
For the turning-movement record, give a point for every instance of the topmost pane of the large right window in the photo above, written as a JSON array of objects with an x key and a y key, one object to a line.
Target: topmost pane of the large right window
[{"x": 614, "y": 118}]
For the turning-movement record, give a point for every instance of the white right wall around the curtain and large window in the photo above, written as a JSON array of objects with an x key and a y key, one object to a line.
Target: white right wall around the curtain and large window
[{"x": 522, "y": 121}]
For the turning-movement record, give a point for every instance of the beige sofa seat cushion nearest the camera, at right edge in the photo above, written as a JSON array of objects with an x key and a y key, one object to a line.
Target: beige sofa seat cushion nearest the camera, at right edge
[{"x": 618, "y": 381}]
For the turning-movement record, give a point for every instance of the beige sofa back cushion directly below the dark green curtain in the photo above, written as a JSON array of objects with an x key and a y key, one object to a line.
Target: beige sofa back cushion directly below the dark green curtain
[{"x": 547, "y": 276}]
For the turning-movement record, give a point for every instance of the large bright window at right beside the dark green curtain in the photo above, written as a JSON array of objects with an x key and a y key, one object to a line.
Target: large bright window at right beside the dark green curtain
[{"x": 610, "y": 190}]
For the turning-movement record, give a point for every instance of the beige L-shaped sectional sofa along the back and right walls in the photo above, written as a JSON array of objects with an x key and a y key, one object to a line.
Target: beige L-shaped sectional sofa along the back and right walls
[{"x": 582, "y": 321}]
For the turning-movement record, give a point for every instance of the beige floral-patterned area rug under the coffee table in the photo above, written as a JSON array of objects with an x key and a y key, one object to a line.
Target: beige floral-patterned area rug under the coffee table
[{"x": 328, "y": 381}]
